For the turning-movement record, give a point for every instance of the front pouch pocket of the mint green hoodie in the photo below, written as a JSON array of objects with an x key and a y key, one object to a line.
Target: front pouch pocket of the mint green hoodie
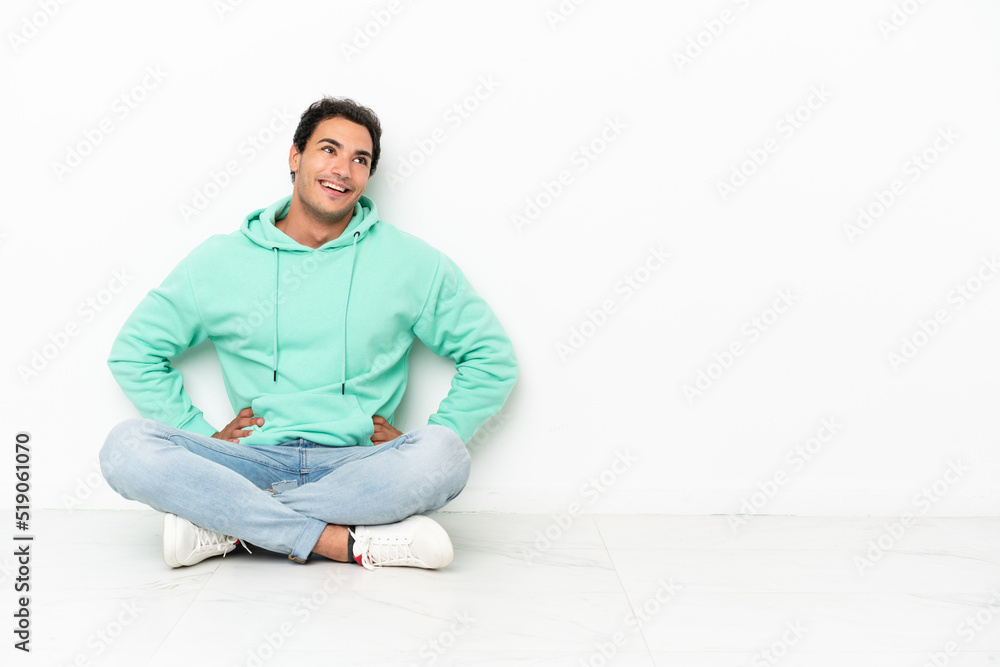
[{"x": 325, "y": 417}]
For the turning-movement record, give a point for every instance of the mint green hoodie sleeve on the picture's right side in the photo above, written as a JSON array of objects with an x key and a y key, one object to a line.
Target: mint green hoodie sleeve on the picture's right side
[{"x": 456, "y": 322}]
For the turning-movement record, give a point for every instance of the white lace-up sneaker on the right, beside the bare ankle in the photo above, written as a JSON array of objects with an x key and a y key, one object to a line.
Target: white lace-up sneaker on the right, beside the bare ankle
[{"x": 417, "y": 541}]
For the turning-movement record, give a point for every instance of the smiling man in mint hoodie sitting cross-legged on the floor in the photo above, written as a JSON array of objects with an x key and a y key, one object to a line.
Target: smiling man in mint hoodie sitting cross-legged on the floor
[{"x": 312, "y": 306}]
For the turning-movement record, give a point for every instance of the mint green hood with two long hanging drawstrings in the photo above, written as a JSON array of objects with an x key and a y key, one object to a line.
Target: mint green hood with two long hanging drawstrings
[{"x": 259, "y": 228}]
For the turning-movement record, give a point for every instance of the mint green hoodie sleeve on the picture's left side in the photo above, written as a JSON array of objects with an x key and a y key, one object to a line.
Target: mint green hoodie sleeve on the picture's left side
[{"x": 164, "y": 324}]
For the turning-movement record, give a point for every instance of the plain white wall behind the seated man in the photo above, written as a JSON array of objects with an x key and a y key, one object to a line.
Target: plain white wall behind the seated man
[{"x": 881, "y": 95}]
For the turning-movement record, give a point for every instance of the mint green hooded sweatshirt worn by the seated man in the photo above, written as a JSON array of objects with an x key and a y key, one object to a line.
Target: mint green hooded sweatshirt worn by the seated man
[{"x": 316, "y": 341}]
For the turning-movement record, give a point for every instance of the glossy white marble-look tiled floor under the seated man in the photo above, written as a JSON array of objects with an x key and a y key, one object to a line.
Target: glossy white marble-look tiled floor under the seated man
[{"x": 531, "y": 590}]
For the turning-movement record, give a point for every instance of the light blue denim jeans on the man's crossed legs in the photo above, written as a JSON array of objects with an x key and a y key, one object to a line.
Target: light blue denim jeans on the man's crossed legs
[{"x": 281, "y": 497}]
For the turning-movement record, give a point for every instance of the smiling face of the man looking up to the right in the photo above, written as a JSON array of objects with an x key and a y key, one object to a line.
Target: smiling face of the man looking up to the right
[{"x": 332, "y": 172}]
